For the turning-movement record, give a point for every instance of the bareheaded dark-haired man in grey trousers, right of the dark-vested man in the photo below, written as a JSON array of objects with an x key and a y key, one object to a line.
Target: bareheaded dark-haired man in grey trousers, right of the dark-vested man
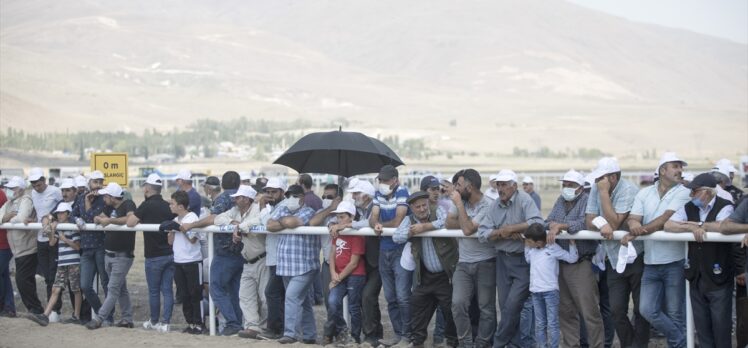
[{"x": 475, "y": 273}]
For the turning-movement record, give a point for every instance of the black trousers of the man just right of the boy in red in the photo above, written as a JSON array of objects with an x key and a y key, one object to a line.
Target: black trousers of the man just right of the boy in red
[{"x": 371, "y": 317}]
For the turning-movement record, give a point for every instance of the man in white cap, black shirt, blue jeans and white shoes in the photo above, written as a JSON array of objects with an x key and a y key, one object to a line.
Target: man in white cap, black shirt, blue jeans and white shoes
[{"x": 159, "y": 255}]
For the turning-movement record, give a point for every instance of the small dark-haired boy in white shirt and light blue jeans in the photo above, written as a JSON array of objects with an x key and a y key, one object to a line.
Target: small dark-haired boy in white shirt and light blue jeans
[{"x": 543, "y": 259}]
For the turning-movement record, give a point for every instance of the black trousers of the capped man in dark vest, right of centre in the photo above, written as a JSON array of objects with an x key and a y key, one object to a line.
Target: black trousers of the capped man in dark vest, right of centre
[{"x": 434, "y": 289}]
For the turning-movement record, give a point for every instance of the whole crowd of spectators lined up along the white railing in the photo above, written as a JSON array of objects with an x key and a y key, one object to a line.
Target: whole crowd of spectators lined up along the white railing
[{"x": 550, "y": 292}]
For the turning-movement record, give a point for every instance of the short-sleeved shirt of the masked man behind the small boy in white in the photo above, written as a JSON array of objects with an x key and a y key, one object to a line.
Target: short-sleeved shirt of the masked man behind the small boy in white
[{"x": 574, "y": 217}]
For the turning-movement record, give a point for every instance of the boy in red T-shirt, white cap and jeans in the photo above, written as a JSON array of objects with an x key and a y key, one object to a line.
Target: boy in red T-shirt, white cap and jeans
[{"x": 348, "y": 275}]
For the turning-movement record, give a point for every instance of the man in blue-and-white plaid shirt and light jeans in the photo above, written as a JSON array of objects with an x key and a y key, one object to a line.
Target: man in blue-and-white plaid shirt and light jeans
[{"x": 298, "y": 264}]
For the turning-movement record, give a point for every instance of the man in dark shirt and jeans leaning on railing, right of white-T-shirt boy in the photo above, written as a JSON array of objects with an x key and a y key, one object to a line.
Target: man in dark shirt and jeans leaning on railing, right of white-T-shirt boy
[{"x": 228, "y": 264}]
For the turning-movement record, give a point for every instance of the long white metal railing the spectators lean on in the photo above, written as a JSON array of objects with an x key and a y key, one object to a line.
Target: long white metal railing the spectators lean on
[{"x": 587, "y": 235}]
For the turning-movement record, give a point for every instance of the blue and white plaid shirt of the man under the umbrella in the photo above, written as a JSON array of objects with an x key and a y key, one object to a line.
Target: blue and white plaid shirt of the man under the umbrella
[{"x": 297, "y": 254}]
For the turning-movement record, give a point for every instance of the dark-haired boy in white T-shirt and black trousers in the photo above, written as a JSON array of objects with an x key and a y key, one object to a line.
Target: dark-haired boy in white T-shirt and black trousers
[{"x": 187, "y": 262}]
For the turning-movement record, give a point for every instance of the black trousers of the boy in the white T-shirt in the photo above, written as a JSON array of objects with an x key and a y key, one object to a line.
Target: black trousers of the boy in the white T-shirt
[{"x": 190, "y": 289}]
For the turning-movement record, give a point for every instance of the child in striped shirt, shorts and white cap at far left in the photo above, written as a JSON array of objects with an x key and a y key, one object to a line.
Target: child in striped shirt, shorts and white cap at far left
[{"x": 68, "y": 265}]
